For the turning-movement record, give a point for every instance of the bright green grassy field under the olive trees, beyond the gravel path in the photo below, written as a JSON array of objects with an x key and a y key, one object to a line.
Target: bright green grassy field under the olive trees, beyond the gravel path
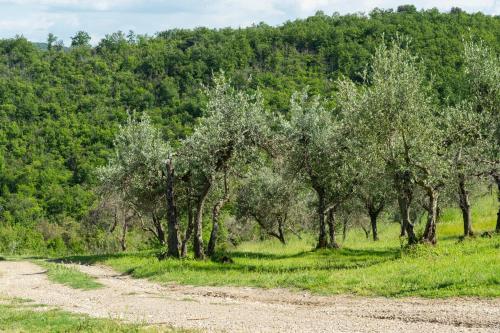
[{"x": 361, "y": 266}]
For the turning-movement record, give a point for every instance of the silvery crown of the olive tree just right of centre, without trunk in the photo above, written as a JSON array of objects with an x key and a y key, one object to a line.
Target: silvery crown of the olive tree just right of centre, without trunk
[{"x": 318, "y": 145}]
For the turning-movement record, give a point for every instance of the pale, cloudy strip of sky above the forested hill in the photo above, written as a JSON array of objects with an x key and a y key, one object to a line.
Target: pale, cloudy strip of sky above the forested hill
[{"x": 34, "y": 19}]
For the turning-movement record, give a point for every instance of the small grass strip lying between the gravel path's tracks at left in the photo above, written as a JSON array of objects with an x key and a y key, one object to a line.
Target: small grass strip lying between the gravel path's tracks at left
[{"x": 68, "y": 276}]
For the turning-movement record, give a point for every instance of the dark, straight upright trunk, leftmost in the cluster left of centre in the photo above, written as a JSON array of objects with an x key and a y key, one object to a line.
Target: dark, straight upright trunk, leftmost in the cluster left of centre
[{"x": 173, "y": 222}]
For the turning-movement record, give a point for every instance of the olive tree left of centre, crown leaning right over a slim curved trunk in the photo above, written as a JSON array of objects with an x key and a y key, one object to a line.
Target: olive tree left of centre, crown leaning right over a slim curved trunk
[{"x": 234, "y": 124}]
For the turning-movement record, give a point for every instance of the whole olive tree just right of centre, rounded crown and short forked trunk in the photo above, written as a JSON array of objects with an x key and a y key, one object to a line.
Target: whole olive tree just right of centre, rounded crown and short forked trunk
[{"x": 318, "y": 153}]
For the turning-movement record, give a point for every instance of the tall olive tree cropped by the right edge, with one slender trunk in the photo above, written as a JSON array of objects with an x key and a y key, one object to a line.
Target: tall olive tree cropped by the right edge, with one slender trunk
[{"x": 473, "y": 126}]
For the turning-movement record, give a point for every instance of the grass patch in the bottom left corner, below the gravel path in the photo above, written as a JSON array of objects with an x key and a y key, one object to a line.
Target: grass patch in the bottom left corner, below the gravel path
[{"x": 17, "y": 315}]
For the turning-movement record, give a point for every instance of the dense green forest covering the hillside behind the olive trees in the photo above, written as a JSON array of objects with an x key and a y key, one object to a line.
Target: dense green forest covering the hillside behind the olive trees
[{"x": 61, "y": 108}]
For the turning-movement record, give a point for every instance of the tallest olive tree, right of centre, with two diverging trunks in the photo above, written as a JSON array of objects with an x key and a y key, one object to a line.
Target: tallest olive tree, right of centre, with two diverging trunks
[{"x": 399, "y": 125}]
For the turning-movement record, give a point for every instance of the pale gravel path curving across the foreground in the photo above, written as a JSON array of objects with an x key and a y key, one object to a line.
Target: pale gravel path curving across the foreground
[{"x": 232, "y": 309}]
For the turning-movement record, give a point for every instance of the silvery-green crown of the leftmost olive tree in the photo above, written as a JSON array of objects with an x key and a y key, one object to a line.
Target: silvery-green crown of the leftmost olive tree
[{"x": 136, "y": 171}]
